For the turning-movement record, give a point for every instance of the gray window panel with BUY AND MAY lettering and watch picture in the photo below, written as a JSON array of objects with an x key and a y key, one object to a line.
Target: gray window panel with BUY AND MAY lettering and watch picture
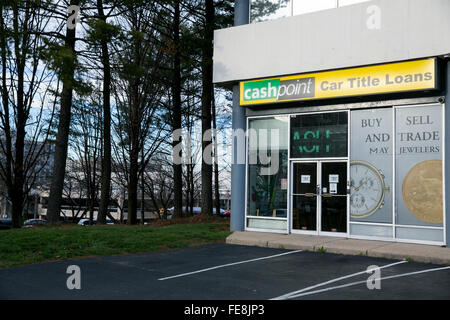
[{"x": 371, "y": 167}]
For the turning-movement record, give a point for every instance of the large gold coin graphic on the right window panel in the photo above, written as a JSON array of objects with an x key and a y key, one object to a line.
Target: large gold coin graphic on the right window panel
[{"x": 422, "y": 191}]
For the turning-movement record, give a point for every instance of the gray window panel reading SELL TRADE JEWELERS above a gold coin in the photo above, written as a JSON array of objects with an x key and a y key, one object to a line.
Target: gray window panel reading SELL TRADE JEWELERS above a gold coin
[{"x": 419, "y": 182}]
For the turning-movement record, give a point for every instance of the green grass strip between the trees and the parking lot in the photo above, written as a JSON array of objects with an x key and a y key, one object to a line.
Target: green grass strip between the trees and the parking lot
[{"x": 36, "y": 245}]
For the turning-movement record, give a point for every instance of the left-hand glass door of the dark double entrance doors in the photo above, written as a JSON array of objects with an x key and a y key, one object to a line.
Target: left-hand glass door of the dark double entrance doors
[{"x": 304, "y": 196}]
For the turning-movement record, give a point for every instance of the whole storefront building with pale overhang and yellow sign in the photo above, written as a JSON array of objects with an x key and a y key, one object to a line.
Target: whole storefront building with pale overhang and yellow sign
[{"x": 345, "y": 117}]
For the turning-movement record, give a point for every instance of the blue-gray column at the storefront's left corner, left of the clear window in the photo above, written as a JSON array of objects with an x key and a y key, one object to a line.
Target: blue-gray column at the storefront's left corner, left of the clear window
[{"x": 237, "y": 223}]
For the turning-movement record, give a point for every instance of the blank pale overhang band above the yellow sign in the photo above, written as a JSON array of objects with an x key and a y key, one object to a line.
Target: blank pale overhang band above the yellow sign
[{"x": 373, "y": 32}]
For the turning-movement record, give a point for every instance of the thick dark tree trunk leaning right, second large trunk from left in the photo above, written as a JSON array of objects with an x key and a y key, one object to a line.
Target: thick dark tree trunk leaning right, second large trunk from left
[{"x": 62, "y": 137}]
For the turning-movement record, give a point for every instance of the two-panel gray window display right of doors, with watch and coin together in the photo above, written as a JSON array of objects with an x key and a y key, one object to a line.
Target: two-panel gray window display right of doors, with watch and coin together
[{"x": 415, "y": 165}]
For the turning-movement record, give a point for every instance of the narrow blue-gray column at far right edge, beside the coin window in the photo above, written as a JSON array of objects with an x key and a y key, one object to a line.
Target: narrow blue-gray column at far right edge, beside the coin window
[{"x": 447, "y": 152}]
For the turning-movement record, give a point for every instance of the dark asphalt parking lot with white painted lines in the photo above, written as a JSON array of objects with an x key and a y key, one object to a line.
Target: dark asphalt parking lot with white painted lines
[{"x": 228, "y": 272}]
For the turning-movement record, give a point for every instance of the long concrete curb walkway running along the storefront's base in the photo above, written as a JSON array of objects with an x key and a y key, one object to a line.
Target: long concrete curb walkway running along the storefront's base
[{"x": 378, "y": 249}]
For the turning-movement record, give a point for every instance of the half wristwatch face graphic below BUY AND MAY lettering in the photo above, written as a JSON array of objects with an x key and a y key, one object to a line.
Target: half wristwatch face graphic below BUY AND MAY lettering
[{"x": 367, "y": 189}]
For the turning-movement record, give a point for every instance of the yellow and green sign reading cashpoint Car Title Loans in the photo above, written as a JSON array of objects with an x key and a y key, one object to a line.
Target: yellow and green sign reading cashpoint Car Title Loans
[{"x": 388, "y": 78}]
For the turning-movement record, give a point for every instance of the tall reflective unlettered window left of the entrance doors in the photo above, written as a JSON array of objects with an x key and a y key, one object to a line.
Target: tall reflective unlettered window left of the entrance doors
[{"x": 267, "y": 169}]
